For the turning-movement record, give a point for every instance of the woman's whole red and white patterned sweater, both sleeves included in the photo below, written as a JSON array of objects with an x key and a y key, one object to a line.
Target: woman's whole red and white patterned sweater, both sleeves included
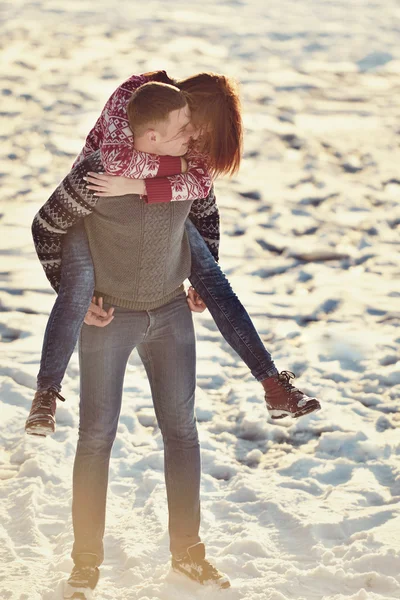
[{"x": 164, "y": 181}]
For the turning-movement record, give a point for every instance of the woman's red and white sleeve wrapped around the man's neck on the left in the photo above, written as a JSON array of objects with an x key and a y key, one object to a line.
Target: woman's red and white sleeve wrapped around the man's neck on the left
[{"x": 114, "y": 137}]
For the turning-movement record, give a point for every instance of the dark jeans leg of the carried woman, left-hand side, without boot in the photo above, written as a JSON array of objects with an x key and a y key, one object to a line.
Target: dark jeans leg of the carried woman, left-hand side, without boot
[{"x": 69, "y": 310}]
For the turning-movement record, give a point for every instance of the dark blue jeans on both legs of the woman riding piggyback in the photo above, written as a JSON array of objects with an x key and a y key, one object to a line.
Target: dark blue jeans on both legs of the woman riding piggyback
[{"x": 76, "y": 291}]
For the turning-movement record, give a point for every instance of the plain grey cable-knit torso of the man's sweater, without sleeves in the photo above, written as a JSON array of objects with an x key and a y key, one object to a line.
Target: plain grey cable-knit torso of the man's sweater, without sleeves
[{"x": 140, "y": 252}]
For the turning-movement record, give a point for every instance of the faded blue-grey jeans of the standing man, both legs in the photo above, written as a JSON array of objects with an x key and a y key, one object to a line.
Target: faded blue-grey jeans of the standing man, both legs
[{"x": 165, "y": 340}]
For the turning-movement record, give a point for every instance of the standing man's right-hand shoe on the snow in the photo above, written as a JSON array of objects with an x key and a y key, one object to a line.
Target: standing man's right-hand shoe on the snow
[{"x": 194, "y": 565}]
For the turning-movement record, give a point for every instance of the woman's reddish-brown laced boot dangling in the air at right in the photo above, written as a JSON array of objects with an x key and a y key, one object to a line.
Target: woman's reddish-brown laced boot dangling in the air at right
[{"x": 284, "y": 400}]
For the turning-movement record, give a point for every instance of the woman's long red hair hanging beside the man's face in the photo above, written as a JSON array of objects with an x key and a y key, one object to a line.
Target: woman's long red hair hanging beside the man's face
[{"x": 215, "y": 109}]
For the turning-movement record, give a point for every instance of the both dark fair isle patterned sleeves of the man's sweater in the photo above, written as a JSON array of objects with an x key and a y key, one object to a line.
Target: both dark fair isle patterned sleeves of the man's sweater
[{"x": 72, "y": 201}]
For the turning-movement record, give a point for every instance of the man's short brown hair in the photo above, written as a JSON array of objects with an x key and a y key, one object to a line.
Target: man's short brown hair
[{"x": 151, "y": 103}]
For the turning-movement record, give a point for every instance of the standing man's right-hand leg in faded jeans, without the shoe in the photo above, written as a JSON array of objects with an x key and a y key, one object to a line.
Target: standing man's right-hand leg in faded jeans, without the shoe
[{"x": 169, "y": 355}]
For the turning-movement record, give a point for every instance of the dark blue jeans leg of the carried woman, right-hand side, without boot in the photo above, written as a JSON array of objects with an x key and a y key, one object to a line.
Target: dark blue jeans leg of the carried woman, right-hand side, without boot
[{"x": 229, "y": 314}]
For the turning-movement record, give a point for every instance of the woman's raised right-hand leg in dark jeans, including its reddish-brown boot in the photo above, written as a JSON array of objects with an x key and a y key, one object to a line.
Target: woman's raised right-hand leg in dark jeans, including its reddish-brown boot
[{"x": 282, "y": 398}]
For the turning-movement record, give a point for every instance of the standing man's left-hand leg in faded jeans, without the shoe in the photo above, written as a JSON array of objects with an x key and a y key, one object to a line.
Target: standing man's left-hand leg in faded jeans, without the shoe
[{"x": 104, "y": 353}]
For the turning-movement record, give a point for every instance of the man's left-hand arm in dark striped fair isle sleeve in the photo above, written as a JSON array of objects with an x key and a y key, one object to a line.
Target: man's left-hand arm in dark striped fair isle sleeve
[{"x": 69, "y": 203}]
